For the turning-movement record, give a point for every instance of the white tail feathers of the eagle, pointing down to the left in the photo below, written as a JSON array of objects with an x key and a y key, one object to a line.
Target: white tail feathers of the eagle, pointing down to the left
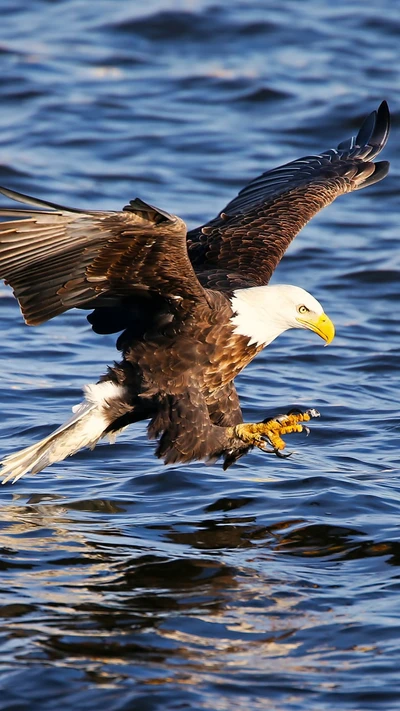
[{"x": 83, "y": 429}]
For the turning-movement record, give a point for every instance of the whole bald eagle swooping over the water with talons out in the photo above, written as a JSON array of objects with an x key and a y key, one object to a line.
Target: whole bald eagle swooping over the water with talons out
[{"x": 192, "y": 308}]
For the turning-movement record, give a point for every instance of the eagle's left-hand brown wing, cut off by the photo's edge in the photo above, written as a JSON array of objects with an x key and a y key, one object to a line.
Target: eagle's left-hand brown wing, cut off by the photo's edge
[{"x": 57, "y": 258}]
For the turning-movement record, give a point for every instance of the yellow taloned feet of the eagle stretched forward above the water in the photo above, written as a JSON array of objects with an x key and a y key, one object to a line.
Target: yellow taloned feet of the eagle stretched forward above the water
[{"x": 270, "y": 432}]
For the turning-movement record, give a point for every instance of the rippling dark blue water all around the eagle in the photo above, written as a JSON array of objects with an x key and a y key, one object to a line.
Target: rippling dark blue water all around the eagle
[{"x": 275, "y": 585}]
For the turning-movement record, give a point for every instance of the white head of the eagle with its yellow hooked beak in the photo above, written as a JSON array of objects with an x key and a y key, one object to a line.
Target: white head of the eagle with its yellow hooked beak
[{"x": 264, "y": 312}]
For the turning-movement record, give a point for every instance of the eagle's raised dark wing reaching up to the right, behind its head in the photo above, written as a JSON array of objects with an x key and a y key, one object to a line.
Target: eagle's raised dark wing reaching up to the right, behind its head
[{"x": 245, "y": 243}]
